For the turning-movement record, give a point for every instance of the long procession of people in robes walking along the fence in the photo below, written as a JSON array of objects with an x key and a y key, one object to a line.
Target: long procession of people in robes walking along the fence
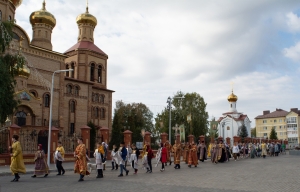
[{"x": 192, "y": 153}]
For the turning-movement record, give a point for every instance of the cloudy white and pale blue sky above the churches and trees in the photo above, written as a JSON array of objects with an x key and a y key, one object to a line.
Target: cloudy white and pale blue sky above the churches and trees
[{"x": 157, "y": 48}]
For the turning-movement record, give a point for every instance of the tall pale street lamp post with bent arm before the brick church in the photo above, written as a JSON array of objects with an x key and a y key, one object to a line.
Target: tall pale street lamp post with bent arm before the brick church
[{"x": 50, "y": 116}]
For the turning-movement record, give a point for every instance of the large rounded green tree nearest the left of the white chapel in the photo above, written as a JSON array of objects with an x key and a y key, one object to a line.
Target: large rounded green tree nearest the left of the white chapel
[{"x": 193, "y": 104}]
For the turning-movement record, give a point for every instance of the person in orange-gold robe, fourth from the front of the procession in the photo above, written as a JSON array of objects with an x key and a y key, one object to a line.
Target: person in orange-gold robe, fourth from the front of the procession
[{"x": 80, "y": 162}]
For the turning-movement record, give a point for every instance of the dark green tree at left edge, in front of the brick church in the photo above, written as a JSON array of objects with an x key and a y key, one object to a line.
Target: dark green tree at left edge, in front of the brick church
[{"x": 10, "y": 64}]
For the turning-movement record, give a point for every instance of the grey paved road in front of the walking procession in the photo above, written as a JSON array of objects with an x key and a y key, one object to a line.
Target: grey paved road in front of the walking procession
[{"x": 271, "y": 174}]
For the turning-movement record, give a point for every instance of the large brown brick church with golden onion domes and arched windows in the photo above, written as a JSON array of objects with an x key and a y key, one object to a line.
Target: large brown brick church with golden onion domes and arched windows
[{"x": 81, "y": 95}]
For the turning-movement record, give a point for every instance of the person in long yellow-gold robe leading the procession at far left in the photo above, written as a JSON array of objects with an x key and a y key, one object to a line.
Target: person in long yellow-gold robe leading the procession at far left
[{"x": 17, "y": 164}]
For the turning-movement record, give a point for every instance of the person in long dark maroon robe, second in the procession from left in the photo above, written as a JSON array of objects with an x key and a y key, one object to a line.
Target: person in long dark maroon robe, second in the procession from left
[{"x": 41, "y": 167}]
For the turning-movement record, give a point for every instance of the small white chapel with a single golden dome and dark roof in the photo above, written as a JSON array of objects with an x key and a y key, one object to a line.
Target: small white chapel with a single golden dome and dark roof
[{"x": 230, "y": 123}]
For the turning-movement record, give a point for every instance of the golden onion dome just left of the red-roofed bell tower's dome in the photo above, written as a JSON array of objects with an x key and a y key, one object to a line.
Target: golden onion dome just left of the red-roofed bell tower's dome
[{"x": 42, "y": 16}]
